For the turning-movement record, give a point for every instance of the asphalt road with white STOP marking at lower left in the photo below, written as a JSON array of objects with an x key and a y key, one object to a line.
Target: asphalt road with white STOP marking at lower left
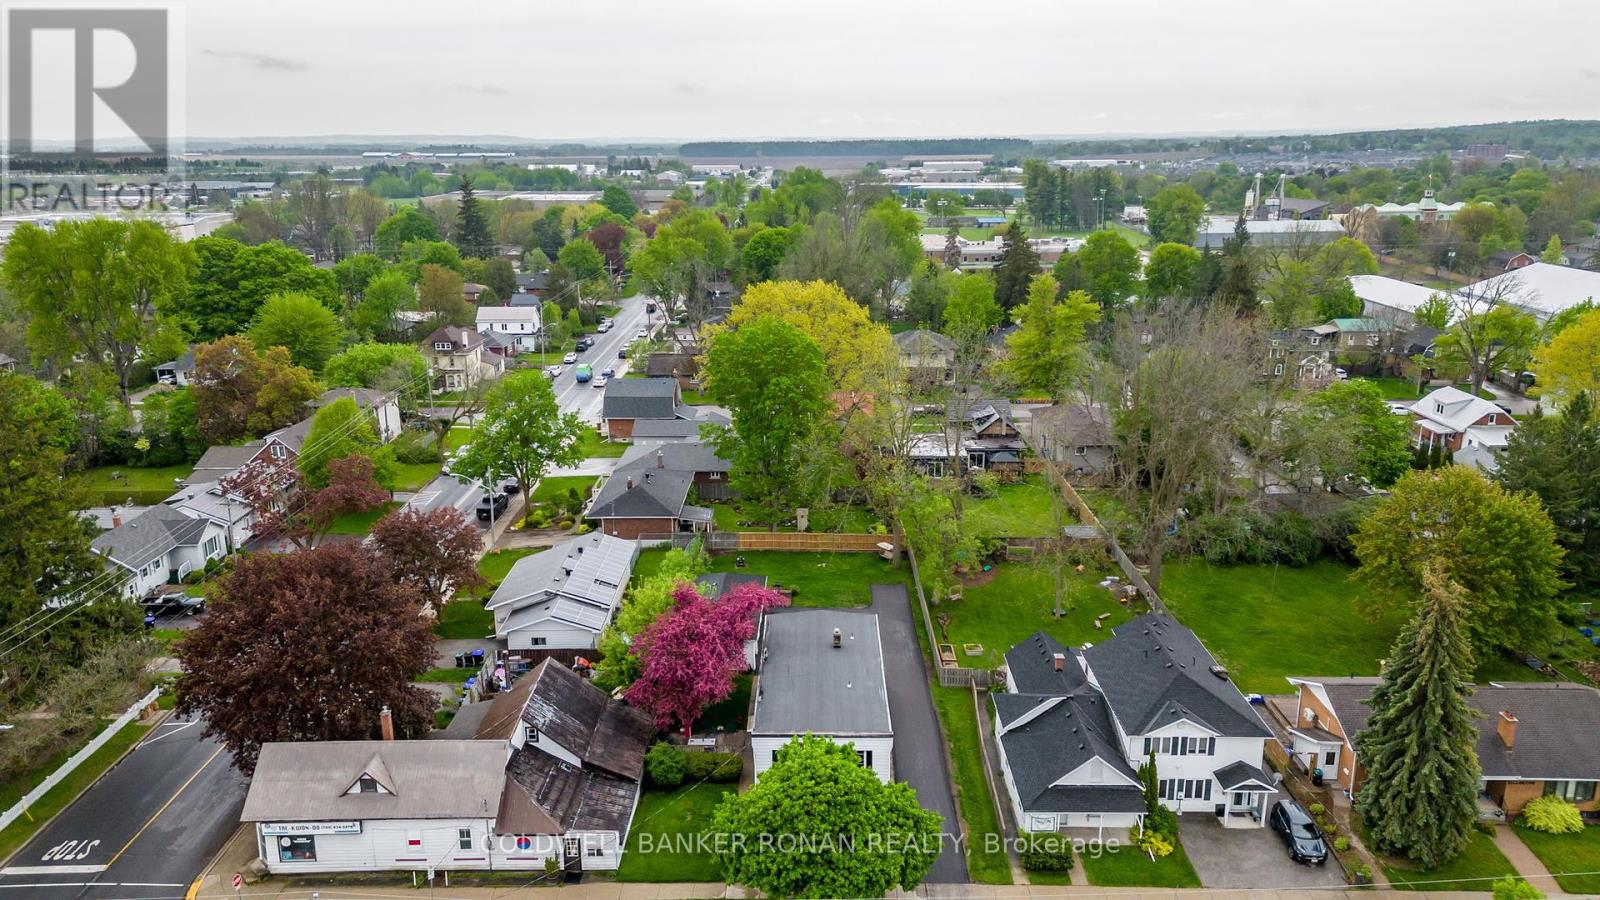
[{"x": 146, "y": 829}]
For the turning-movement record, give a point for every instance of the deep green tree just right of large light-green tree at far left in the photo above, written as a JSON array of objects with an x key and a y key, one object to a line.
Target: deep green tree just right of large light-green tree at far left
[{"x": 233, "y": 279}]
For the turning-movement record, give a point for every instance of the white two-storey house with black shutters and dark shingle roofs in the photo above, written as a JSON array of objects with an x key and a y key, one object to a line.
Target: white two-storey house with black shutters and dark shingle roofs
[{"x": 1076, "y": 725}]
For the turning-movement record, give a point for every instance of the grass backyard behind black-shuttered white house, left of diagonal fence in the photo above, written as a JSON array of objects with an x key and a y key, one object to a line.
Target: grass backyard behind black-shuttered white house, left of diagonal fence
[{"x": 1020, "y": 600}]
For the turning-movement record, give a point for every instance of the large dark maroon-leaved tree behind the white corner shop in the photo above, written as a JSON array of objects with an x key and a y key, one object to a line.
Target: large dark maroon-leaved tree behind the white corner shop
[{"x": 308, "y": 646}]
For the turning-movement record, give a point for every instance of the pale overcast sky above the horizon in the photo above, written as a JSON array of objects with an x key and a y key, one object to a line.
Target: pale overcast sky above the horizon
[{"x": 617, "y": 70}]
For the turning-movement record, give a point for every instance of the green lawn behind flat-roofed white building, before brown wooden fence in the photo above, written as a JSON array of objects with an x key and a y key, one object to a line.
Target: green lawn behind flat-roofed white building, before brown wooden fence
[{"x": 820, "y": 579}]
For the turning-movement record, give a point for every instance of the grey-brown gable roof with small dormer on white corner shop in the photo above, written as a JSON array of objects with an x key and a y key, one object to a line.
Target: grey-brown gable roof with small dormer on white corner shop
[{"x": 430, "y": 779}]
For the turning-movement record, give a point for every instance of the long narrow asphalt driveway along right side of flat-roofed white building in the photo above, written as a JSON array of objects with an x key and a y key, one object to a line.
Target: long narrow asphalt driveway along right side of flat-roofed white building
[{"x": 919, "y": 749}]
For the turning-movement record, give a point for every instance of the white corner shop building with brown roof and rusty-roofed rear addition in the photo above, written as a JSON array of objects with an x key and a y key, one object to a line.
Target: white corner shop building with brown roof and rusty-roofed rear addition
[{"x": 554, "y": 771}]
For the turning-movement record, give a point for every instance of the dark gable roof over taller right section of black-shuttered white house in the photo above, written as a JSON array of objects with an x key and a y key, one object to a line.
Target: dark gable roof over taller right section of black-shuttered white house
[{"x": 1156, "y": 672}]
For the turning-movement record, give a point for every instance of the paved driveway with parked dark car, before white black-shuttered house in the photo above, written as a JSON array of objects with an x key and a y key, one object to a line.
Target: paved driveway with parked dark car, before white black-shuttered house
[{"x": 1249, "y": 858}]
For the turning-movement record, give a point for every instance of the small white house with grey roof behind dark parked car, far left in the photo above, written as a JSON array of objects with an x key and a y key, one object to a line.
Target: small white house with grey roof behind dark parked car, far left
[{"x": 161, "y": 545}]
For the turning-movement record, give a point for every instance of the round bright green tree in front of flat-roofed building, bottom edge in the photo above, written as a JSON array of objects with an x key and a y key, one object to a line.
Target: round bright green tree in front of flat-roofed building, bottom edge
[{"x": 815, "y": 794}]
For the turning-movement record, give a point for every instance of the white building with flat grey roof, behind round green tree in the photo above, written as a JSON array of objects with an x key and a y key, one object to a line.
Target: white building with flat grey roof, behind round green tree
[{"x": 822, "y": 672}]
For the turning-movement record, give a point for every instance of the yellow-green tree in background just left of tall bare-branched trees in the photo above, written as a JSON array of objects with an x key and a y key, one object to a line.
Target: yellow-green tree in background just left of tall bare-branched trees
[{"x": 1047, "y": 350}]
